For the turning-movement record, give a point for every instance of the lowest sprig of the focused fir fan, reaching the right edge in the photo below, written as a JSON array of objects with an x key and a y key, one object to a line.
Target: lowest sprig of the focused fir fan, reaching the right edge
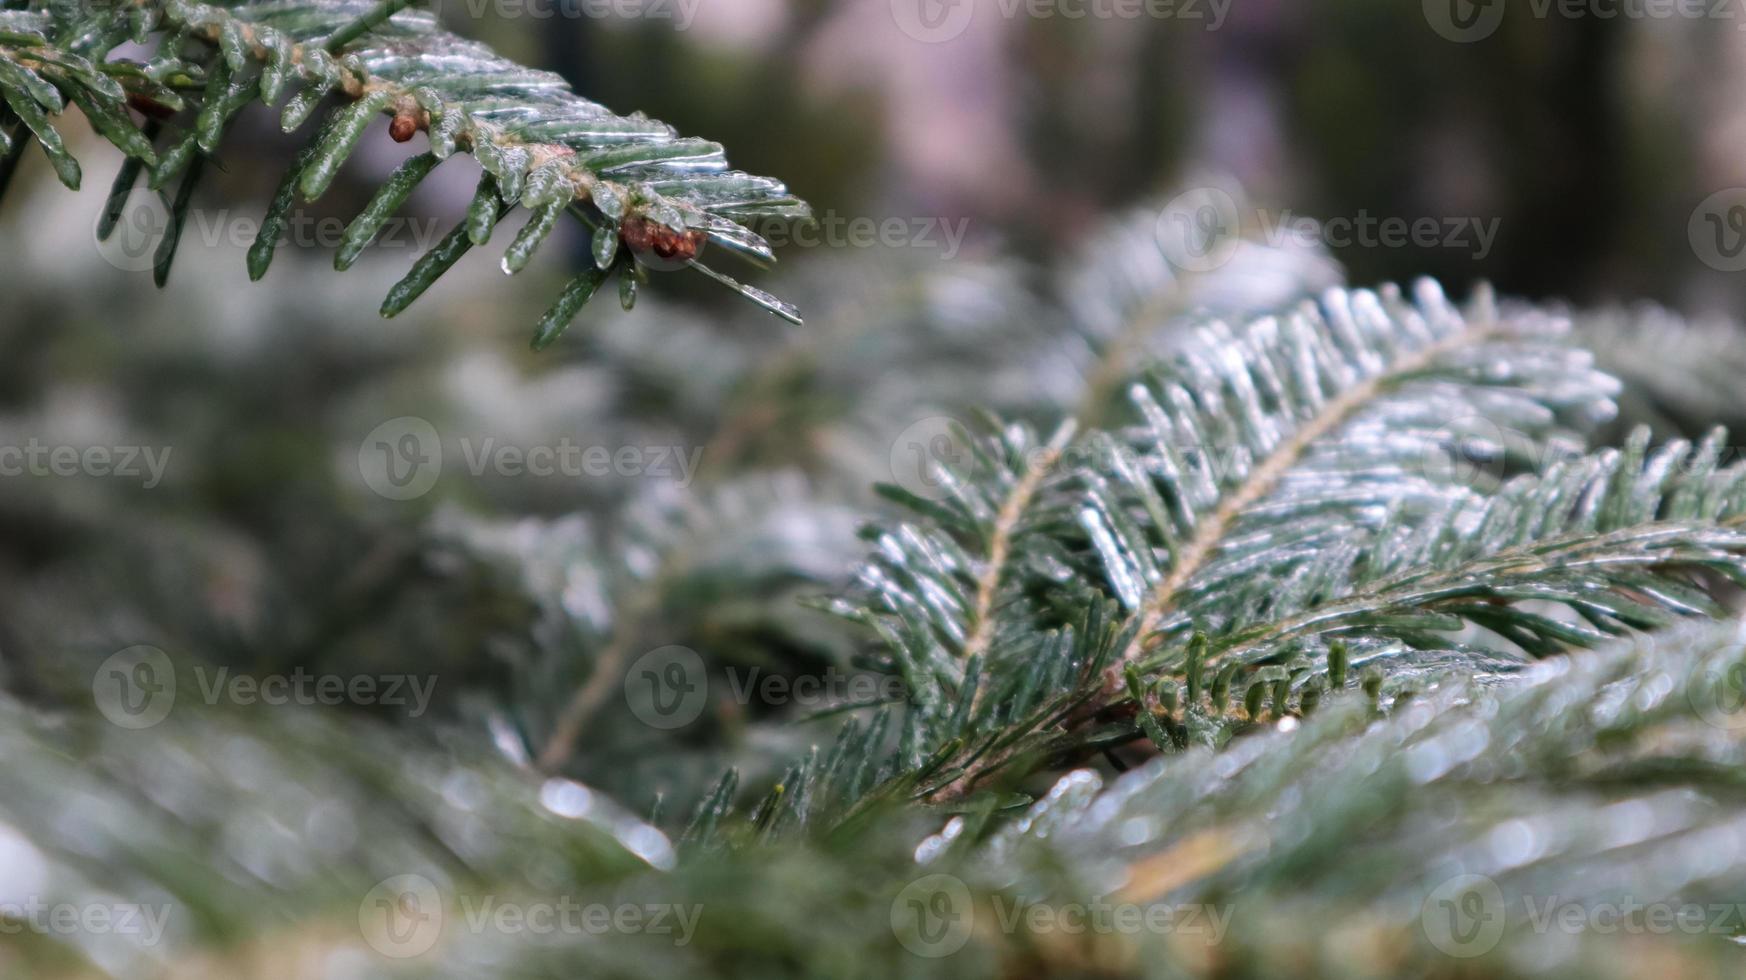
[{"x": 1544, "y": 542}]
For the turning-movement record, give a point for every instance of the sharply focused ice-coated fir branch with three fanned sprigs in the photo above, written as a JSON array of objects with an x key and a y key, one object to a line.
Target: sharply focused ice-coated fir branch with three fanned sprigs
[{"x": 1342, "y": 523}]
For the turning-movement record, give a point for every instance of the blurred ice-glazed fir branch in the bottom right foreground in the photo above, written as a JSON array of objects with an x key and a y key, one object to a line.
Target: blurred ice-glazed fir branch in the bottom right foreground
[{"x": 1391, "y": 813}]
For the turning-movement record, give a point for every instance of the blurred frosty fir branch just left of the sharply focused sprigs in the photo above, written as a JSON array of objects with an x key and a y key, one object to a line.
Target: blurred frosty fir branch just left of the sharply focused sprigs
[{"x": 715, "y": 574}]
